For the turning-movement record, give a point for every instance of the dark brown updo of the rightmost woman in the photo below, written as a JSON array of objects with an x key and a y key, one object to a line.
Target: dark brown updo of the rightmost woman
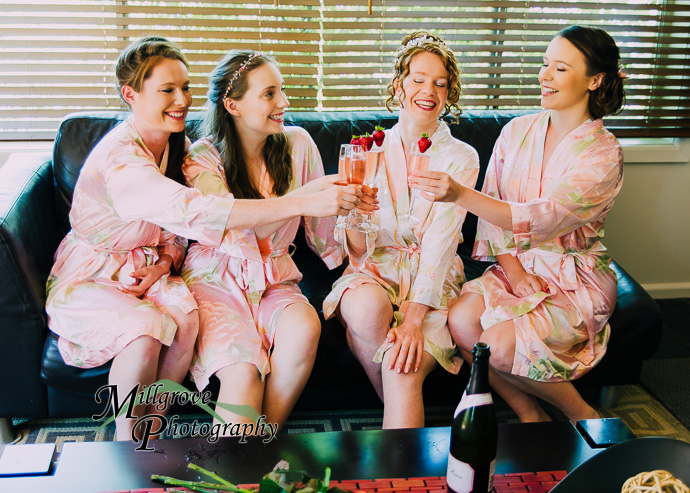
[{"x": 602, "y": 57}]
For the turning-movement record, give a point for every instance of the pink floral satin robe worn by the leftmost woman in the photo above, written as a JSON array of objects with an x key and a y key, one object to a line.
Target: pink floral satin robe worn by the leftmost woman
[{"x": 125, "y": 213}]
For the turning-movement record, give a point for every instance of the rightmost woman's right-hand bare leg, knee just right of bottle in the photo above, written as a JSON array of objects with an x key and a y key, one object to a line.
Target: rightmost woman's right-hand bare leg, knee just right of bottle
[{"x": 563, "y": 395}]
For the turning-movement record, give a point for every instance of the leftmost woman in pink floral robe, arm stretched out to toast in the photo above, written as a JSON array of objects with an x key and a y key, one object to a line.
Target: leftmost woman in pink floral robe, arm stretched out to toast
[{"x": 112, "y": 294}]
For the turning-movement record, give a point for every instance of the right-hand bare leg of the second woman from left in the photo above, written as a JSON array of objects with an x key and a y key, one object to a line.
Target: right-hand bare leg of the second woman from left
[{"x": 296, "y": 340}]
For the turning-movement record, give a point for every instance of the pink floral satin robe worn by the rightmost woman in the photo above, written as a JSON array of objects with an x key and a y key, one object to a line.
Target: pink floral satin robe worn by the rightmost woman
[{"x": 558, "y": 210}]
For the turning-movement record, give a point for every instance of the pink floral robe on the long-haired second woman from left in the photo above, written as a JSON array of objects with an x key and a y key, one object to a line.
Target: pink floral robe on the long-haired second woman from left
[{"x": 244, "y": 285}]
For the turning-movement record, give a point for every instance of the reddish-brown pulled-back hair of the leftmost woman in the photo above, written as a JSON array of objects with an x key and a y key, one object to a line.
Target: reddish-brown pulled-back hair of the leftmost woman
[{"x": 134, "y": 65}]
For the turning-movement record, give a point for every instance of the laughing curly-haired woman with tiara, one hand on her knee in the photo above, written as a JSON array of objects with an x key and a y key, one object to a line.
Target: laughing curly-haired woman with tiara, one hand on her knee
[{"x": 395, "y": 294}]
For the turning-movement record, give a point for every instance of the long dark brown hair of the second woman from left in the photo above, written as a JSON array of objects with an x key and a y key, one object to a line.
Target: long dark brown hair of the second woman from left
[{"x": 220, "y": 126}]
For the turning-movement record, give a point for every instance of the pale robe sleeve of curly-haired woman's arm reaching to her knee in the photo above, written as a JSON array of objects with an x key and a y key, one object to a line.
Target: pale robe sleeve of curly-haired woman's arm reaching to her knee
[{"x": 440, "y": 241}]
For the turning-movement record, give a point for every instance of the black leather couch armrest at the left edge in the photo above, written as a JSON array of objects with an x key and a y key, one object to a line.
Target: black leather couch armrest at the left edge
[{"x": 28, "y": 239}]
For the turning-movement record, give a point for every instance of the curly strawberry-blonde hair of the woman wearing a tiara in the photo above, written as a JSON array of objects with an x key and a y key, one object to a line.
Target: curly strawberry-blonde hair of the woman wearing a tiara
[{"x": 415, "y": 43}]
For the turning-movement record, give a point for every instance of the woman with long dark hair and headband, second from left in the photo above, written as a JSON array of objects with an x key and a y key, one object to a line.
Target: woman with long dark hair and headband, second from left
[{"x": 258, "y": 333}]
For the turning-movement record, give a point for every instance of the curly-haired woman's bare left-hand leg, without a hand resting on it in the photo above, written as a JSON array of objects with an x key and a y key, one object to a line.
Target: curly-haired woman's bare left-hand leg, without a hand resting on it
[{"x": 367, "y": 312}]
